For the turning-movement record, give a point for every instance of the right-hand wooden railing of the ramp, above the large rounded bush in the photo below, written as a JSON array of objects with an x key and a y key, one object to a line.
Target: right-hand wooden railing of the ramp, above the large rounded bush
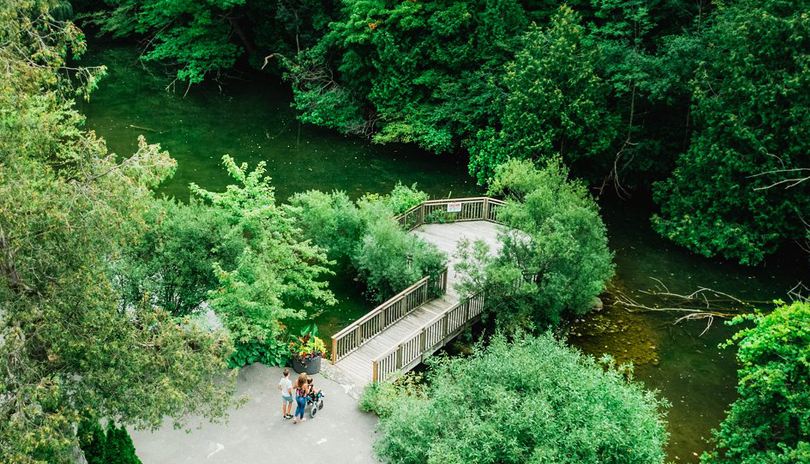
[{"x": 422, "y": 343}]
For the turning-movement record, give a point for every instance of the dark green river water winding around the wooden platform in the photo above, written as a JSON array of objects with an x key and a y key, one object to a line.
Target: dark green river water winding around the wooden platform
[{"x": 251, "y": 120}]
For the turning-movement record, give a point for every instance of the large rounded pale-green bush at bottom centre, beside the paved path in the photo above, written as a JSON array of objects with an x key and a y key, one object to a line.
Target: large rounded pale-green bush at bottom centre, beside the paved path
[{"x": 534, "y": 400}]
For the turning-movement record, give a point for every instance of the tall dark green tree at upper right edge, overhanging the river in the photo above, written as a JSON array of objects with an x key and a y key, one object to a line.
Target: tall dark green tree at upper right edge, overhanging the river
[{"x": 750, "y": 102}]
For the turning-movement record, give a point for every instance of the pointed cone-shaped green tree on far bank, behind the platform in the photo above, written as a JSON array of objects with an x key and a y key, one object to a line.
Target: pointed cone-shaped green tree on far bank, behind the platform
[{"x": 556, "y": 103}]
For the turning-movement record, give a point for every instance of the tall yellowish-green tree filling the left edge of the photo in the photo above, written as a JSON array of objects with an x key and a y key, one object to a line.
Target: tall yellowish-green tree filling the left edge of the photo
[{"x": 70, "y": 349}]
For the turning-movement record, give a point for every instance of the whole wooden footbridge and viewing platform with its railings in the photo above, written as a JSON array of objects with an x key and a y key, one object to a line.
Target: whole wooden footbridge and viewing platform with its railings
[{"x": 400, "y": 333}]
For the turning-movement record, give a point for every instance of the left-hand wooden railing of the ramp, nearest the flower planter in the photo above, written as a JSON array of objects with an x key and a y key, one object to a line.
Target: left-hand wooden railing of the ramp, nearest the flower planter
[{"x": 386, "y": 314}]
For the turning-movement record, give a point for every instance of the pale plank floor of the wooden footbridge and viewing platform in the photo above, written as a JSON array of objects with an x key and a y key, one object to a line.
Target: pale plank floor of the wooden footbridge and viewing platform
[{"x": 359, "y": 363}]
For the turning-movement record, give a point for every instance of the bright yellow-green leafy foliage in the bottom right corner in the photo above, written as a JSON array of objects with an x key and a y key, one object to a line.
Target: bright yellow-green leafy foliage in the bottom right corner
[{"x": 768, "y": 423}]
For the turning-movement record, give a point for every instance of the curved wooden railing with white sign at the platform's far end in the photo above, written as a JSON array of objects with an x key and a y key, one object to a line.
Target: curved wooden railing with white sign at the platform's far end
[{"x": 451, "y": 210}]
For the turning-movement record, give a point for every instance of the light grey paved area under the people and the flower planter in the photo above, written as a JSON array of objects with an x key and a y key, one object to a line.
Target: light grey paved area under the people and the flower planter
[{"x": 256, "y": 433}]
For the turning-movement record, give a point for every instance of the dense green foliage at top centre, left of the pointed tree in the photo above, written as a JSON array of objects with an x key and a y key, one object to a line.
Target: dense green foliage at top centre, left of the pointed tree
[{"x": 414, "y": 71}]
